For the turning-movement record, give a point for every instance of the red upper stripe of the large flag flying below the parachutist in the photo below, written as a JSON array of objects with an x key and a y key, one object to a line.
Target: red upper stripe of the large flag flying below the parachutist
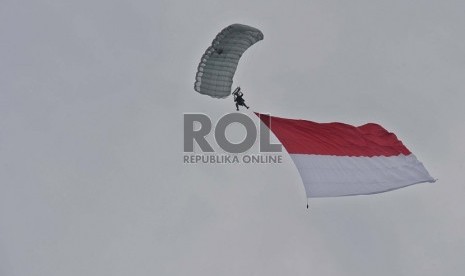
[{"x": 307, "y": 137}]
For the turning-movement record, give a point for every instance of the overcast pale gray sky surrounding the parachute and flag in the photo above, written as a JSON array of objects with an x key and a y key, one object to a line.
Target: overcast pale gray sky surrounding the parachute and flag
[{"x": 92, "y": 95}]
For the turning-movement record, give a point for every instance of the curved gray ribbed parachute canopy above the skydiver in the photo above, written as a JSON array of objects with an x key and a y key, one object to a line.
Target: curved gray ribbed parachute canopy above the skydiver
[{"x": 217, "y": 67}]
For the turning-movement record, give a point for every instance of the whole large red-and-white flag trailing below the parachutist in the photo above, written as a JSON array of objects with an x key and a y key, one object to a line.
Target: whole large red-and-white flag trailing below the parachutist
[{"x": 336, "y": 159}]
